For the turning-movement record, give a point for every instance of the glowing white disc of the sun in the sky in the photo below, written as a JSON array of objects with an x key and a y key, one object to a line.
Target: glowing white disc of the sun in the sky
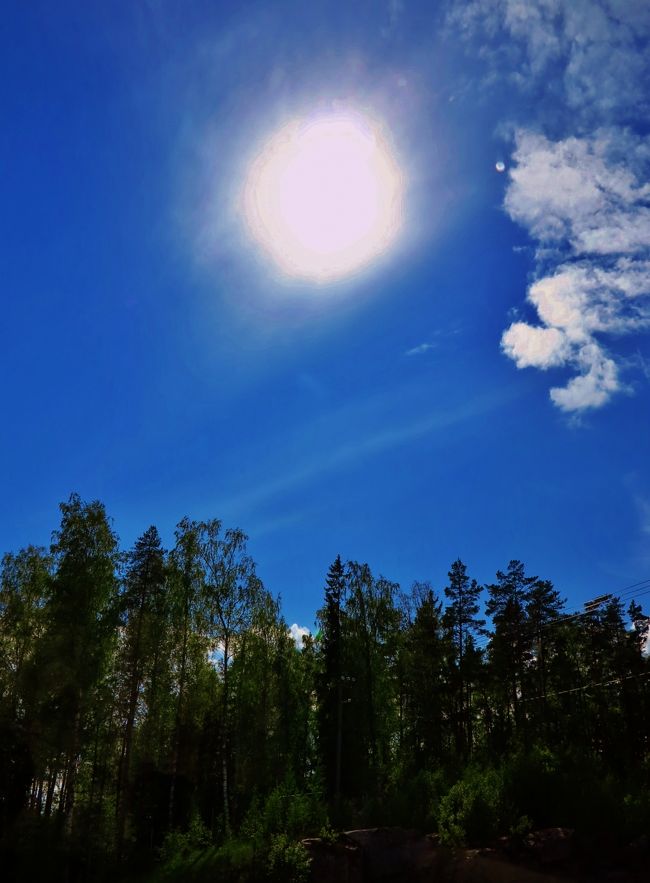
[{"x": 324, "y": 196}]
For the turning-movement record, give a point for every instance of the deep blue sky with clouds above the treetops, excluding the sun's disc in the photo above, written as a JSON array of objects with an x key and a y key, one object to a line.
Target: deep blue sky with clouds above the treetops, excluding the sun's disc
[{"x": 480, "y": 391}]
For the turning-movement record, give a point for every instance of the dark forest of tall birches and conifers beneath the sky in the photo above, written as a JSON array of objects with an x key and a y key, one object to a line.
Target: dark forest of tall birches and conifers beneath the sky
[{"x": 154, "y": 701}]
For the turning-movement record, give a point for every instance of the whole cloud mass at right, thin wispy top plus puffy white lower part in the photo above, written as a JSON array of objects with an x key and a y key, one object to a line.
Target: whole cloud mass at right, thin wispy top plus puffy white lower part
[{"x": 584, "y": 196}]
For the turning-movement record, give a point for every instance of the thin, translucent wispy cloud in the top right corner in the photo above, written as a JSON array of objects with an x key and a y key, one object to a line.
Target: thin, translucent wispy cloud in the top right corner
[{"x": 585, "y": 52}]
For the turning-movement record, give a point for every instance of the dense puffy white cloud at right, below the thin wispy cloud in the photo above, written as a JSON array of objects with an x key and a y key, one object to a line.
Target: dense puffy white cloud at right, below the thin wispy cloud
[{"x": 589, "y": 212}]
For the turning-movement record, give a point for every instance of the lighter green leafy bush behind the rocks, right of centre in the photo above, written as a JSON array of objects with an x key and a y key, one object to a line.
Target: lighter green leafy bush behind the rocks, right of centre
[{"x": 470, "y": 813}]
